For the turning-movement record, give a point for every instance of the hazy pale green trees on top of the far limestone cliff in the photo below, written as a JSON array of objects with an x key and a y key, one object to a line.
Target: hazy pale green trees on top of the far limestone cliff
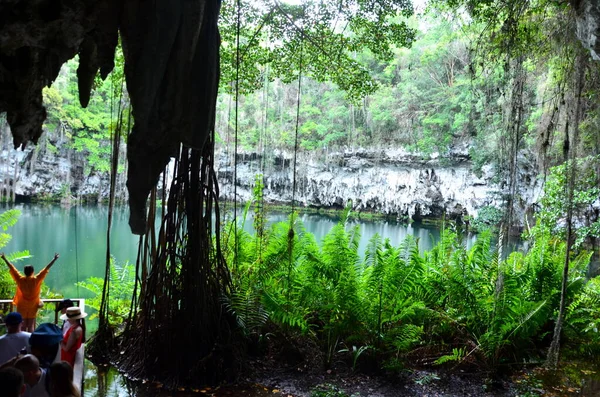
[{"x": 426, "y": 100}]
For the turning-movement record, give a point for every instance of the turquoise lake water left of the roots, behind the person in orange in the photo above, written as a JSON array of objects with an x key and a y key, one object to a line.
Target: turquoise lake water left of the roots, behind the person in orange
[{"x": 78, "y": 234}]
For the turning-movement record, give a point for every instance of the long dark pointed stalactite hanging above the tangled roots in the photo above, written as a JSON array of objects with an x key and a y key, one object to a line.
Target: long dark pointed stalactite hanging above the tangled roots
[{"x": 172, "y": 67}]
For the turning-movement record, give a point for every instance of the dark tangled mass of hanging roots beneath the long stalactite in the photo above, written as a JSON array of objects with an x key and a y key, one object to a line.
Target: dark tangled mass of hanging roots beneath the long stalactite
[{"x": 193, "y": 339}]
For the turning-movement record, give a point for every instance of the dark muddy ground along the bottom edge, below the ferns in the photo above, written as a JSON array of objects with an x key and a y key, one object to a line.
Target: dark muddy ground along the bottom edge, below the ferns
[{"x": 296, "y": 369}]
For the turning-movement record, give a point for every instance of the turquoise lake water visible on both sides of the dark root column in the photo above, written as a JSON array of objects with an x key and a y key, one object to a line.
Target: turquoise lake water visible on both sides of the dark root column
[{"x": 78, "y": 233}]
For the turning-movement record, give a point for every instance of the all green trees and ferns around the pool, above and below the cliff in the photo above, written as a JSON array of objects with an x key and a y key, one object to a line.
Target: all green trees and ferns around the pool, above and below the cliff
[{"x": 509, "y": 81}]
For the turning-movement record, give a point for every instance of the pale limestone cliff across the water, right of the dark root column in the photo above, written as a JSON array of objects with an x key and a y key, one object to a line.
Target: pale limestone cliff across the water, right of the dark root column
[{"x": 393, "y": 182}]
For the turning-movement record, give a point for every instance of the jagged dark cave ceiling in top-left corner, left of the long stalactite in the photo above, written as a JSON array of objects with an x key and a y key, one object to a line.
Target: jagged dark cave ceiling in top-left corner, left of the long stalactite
[{"x": 36, "y": 38}]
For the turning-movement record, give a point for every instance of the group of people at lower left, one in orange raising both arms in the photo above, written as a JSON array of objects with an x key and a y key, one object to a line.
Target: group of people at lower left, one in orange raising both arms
[{"x": 28, "y": 355}]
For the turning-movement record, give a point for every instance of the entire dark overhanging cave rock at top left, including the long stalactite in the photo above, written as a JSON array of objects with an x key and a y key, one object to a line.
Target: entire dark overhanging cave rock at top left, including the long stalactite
[{"x": 171, "y": 52}]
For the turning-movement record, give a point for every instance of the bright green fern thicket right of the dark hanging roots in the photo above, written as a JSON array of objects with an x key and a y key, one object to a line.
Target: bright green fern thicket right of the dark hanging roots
[{"x": 474, "y": 306}]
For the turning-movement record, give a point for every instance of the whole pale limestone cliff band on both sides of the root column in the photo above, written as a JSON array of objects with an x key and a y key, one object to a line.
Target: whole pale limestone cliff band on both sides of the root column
[{"x": 393, "y": 181}]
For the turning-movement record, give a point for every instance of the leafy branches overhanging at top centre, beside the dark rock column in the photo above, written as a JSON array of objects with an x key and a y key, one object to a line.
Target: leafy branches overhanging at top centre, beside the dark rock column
[{"x": 310, "y": 37}]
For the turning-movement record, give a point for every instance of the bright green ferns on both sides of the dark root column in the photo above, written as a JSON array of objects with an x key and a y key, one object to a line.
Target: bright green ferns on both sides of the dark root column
[{"x": 396, "y": 307}]
